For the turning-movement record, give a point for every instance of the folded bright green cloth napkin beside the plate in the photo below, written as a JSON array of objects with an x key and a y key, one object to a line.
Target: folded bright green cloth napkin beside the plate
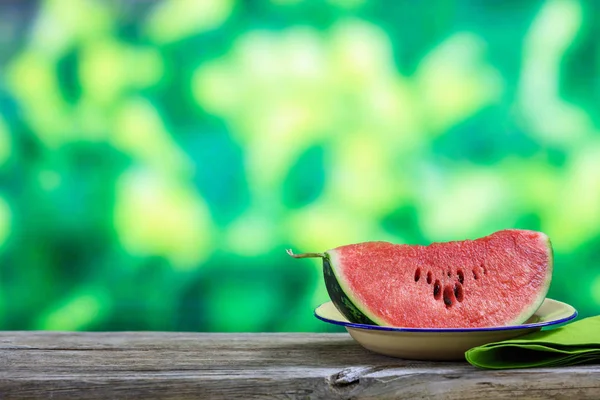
[{"x": 575, "y": 343}]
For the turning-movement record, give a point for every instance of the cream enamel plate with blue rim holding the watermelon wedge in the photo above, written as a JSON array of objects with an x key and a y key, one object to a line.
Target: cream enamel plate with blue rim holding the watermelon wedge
[{"x": 441, "y": 343}]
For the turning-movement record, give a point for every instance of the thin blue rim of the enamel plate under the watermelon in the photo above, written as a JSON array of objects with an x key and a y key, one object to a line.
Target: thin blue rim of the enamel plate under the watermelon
[{"x": 448, "y": 330}]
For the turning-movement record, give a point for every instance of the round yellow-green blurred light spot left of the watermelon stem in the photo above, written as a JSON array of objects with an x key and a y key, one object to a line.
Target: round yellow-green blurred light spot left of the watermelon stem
[{"x": 158, "y": 215}]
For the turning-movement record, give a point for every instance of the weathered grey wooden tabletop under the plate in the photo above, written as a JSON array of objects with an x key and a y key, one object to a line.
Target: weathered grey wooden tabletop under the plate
[{"x": 141, "y": 365}]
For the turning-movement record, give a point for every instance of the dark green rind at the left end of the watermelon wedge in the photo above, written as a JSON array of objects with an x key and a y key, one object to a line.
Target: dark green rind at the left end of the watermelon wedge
[{"x": 342, "y": 297}]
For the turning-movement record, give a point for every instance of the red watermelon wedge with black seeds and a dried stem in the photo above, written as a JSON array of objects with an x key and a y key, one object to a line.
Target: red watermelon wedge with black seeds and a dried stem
[{"x": 496, "y": 280}]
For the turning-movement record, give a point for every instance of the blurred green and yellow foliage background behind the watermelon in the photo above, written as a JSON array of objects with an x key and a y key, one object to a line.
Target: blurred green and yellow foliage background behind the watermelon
[{"x": 158, "y": 157}]
